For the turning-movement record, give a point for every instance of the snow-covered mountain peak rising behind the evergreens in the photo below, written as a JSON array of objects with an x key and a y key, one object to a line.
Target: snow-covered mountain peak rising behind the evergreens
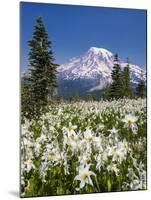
[{"x": 93, "y": 70}]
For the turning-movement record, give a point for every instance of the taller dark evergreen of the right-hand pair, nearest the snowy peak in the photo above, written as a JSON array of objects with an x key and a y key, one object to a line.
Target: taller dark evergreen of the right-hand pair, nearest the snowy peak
[{"x": 116, "y": 85}]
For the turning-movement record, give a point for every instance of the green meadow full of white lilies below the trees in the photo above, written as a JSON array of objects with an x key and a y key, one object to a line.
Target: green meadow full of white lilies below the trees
[{"x": 85, "y": 147}]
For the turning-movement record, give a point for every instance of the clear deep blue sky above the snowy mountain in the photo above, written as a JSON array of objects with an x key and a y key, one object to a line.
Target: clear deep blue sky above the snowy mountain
[{"x": 74, "y": 29}]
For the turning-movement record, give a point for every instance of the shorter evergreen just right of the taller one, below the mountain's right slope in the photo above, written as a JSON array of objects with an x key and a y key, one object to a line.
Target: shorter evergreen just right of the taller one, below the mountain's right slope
[{"x": 126, "y": 84}]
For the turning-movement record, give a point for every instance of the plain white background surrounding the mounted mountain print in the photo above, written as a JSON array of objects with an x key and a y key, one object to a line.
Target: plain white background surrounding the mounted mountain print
[{"x": 9, "y": 98}]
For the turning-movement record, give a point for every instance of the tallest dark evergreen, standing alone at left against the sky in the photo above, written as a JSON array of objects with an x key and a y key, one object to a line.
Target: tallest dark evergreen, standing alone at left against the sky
[{"x": 42, "y": 79}]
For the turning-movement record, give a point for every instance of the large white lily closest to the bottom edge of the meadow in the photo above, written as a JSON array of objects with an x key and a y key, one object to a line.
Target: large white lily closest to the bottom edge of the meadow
[{"x": 84, "y": 176}]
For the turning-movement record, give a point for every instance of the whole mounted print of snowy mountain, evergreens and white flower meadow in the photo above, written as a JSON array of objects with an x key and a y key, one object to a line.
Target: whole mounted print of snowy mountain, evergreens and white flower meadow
[{"x": 84, "y": 121}]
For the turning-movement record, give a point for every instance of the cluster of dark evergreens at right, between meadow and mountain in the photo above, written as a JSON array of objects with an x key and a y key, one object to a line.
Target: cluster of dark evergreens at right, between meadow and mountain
[{"x": 121, "y": 85}]
